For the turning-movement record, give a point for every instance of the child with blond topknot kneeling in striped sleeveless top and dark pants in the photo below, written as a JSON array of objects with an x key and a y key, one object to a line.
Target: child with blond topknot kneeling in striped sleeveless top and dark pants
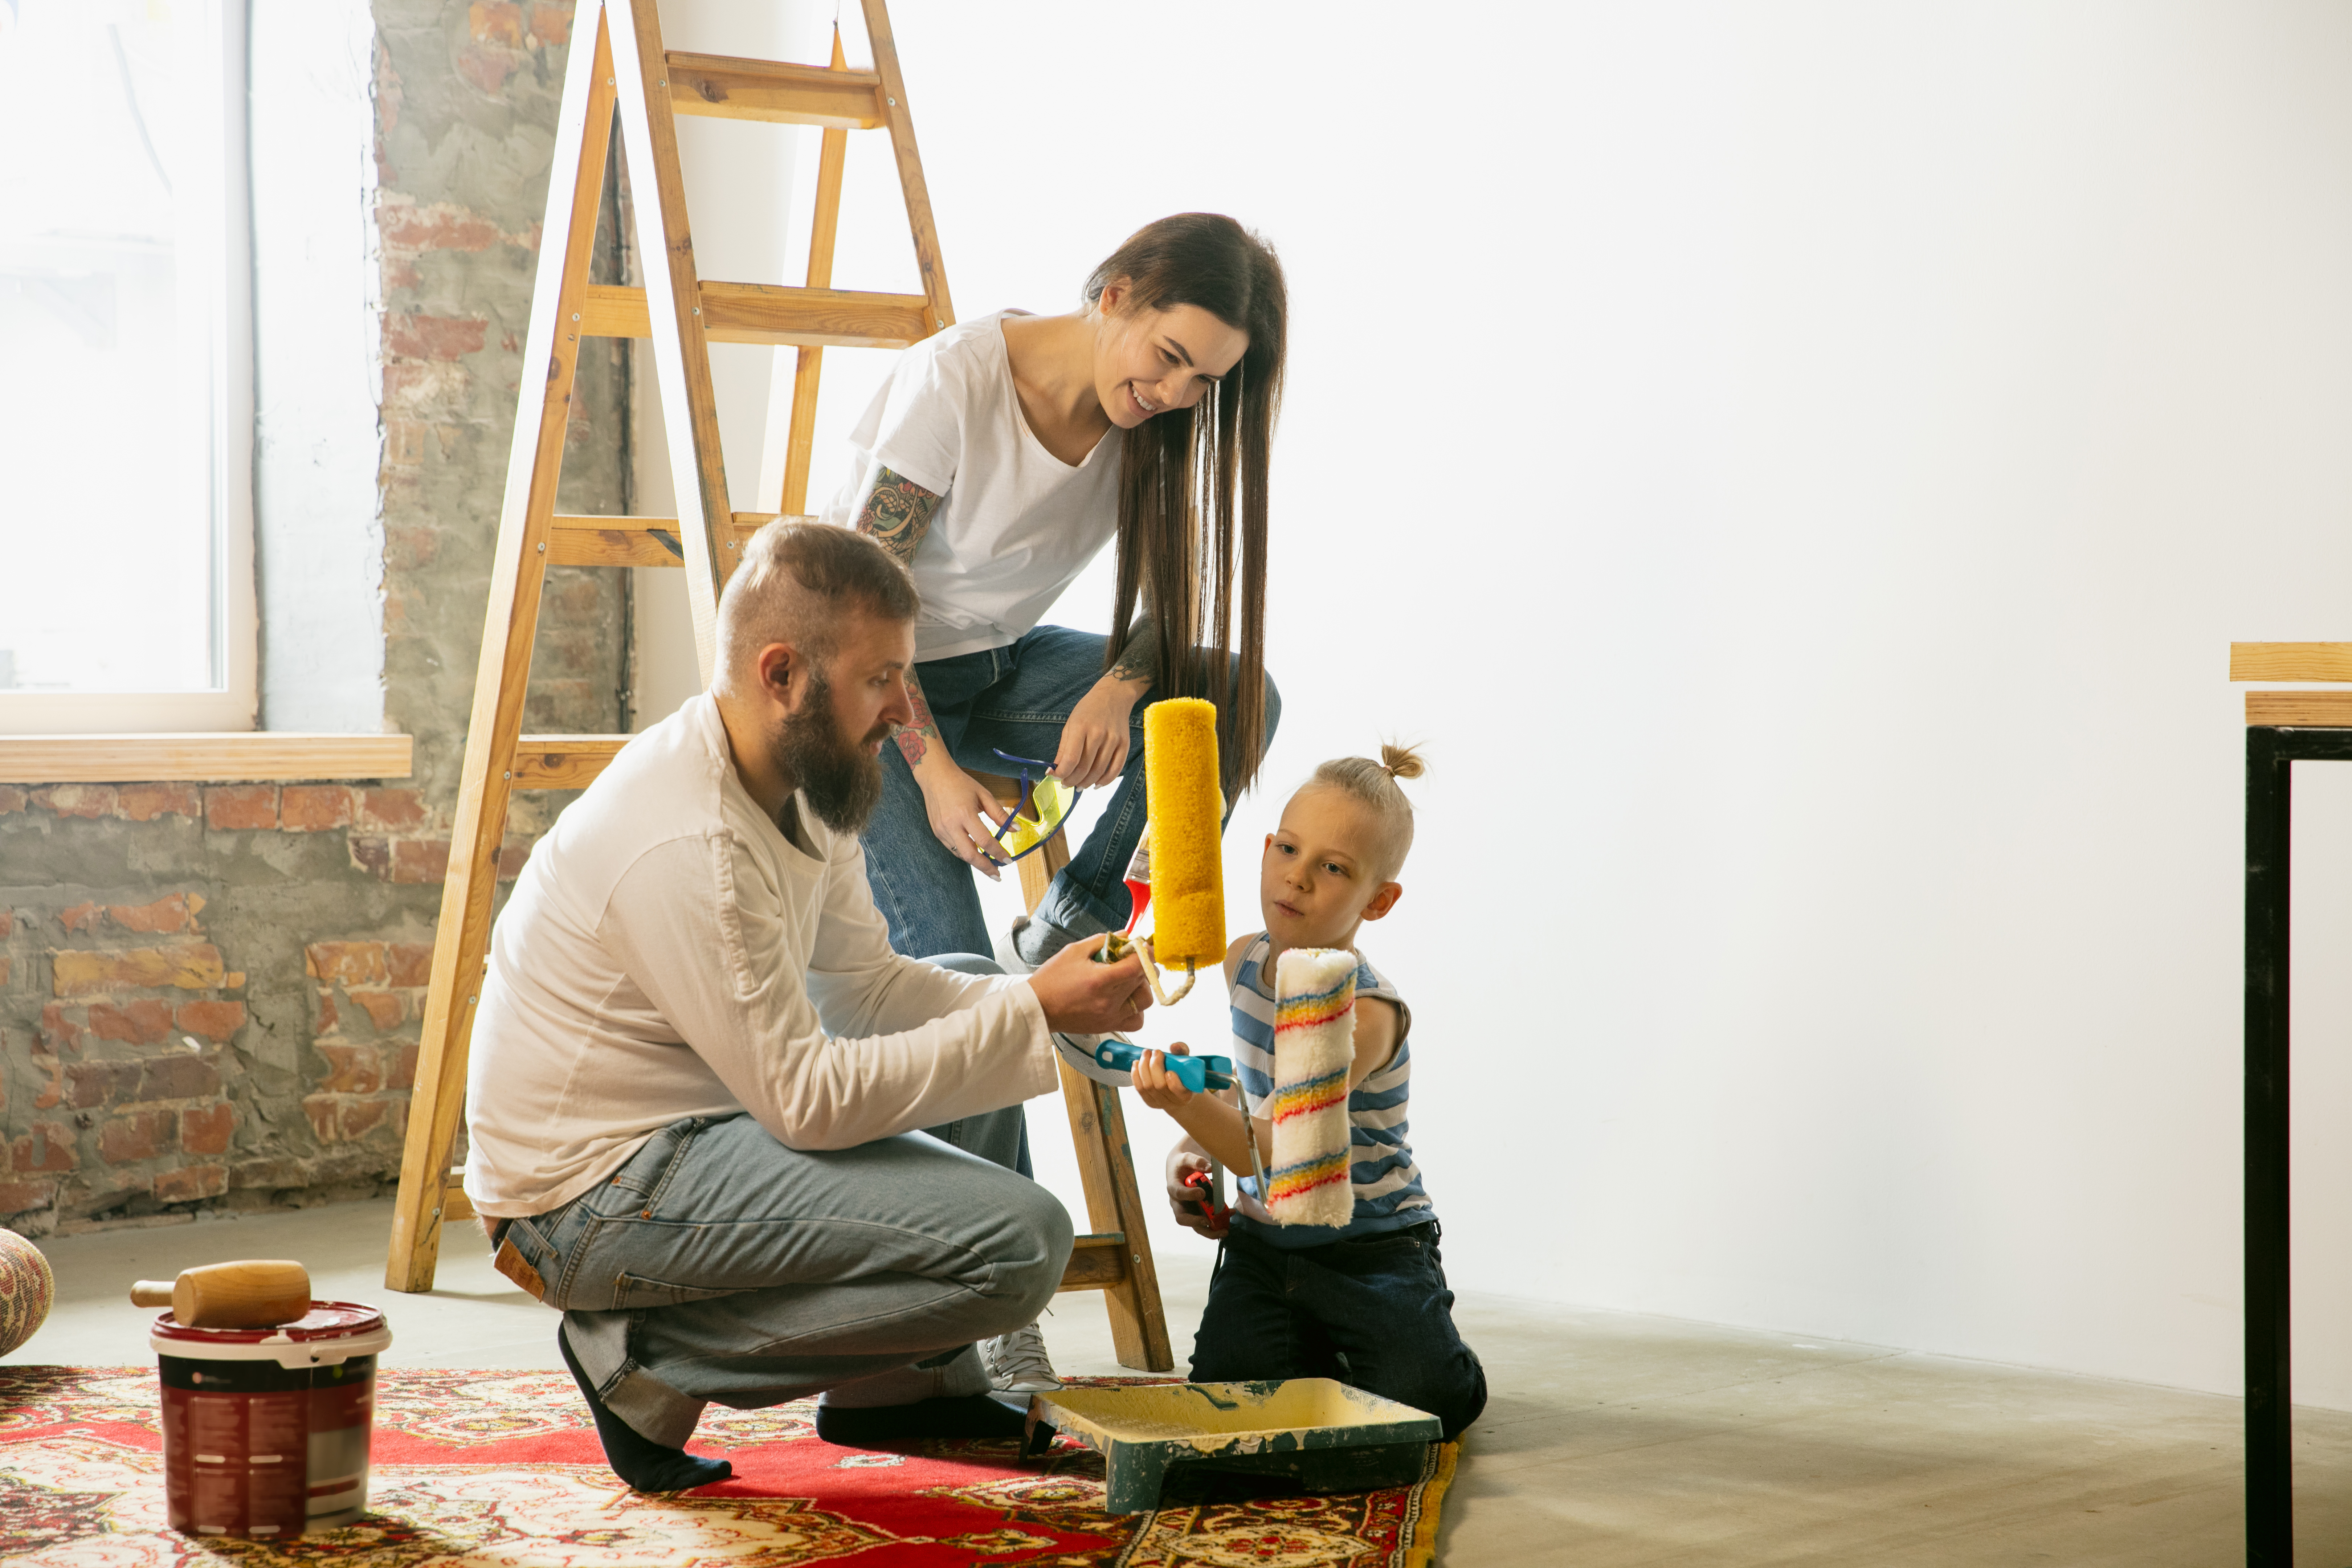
[{"x": 1368, "y": 1301}]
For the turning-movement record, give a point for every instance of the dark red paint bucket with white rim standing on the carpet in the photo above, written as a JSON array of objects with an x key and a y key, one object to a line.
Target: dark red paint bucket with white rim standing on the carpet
[{"x": 265, "y": 1430}]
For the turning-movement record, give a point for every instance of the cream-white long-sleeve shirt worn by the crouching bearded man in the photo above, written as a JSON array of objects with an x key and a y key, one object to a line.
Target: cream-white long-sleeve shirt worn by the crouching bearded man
[{"x": 669, "y": 953}]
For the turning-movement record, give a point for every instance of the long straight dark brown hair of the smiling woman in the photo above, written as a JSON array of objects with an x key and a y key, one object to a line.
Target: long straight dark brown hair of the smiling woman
[{"x": 1194, "y": 481}]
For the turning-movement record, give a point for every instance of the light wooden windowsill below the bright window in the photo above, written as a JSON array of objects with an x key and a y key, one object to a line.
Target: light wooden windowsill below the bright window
[{"x": 222, "y": 758}]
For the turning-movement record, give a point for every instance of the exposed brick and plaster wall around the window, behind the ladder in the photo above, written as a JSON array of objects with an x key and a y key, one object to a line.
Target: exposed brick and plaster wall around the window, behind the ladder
[{"x": 211, "y": 993}]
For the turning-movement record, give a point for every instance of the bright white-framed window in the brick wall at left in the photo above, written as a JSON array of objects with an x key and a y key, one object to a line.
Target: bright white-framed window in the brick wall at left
[{"x": 126, "y": 370}]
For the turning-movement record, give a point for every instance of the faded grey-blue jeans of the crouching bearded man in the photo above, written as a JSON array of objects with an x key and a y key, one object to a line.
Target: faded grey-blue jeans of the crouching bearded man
[{"x": 721, "y": 1266}]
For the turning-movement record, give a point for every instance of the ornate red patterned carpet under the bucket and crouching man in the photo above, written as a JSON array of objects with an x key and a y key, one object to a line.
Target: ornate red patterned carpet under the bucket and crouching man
[{"x": 505, "y": 1470}]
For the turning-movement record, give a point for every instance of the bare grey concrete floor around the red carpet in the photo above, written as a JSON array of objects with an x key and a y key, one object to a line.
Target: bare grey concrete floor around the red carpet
[{"x": 1612, "y": 1440}]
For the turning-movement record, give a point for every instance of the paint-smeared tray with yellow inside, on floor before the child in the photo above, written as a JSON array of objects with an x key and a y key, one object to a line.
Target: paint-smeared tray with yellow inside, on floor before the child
[{"x": 1316, "y": 1433}]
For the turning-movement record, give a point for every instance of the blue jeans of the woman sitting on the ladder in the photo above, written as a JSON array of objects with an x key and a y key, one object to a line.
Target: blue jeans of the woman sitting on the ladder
[{"x": 1008, "y": 699}]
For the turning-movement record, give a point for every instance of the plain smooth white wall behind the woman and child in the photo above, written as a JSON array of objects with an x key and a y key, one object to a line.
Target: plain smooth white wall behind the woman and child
[{"x": 1798, "y": 469}]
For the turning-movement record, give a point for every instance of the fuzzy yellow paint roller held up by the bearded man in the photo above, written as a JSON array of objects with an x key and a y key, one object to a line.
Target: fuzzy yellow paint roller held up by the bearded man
[{"x": 1184, "y": 805}]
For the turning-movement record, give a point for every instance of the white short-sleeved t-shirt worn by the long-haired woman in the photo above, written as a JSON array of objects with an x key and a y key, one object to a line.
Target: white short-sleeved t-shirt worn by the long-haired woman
[{"x": 1015, "y": 528}]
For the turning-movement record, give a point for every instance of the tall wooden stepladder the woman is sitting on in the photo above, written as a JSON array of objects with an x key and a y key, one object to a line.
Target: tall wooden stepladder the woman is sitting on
[{"x": 622, "y": 67}]
